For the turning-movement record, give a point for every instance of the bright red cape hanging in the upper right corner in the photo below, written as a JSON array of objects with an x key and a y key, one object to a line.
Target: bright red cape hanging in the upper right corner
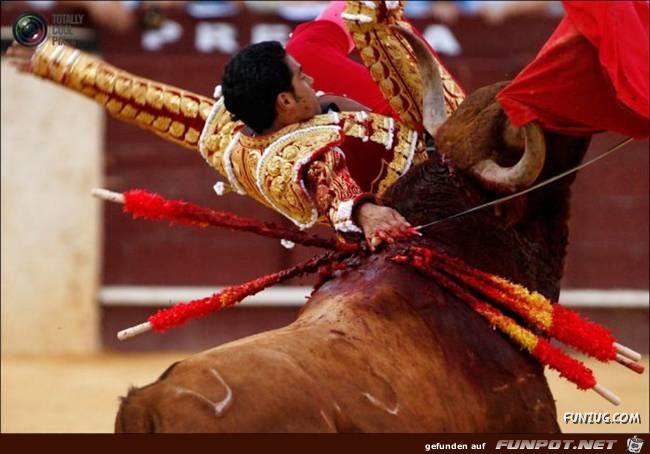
[{"x": 591, "y": 75}]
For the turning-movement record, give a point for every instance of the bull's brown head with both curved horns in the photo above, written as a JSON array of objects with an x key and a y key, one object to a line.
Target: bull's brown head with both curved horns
[{"x": 478, "y": 137}]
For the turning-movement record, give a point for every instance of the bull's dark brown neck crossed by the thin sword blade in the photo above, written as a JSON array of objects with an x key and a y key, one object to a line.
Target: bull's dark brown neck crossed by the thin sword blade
[{"x": 530, "y": 252}]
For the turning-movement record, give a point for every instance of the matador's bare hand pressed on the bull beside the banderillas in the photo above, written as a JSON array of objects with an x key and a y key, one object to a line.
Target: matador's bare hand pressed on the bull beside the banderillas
[{"x": 381, "y": 224}]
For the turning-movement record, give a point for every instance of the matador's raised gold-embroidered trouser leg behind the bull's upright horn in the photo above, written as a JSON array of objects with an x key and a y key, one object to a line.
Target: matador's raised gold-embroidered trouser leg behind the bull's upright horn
[{"x": 390, "y": 59}]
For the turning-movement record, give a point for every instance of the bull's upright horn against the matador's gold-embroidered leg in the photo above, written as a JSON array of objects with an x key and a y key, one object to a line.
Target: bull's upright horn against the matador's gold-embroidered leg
[{"x": 433, "y": 102}]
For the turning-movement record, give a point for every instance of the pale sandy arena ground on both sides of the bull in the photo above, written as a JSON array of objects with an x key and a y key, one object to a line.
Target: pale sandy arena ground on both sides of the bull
[{"x": 68, "y": 394}]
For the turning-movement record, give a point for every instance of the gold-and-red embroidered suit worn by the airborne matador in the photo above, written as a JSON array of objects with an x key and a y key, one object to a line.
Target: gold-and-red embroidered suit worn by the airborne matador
[{"x": 318, "y": 169}]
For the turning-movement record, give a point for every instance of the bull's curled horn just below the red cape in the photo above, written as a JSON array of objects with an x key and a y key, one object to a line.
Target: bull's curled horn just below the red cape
[{"x": 522, "y": 174}]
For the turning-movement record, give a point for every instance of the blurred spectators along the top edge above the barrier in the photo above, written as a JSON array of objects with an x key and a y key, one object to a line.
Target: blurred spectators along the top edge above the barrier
[{"x": 120, "y": 16}]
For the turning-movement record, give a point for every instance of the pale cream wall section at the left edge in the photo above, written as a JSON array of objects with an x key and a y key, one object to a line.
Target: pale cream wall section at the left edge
[{"x": 51, "y": 226}]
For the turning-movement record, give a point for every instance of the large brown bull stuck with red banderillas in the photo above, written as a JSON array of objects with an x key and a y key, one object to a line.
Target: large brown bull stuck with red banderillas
[{"x": 379, "y": 348}]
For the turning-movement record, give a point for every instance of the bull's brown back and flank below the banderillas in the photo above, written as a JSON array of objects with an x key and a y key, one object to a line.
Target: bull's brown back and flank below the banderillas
[{"x": 354, "y": 361}]
